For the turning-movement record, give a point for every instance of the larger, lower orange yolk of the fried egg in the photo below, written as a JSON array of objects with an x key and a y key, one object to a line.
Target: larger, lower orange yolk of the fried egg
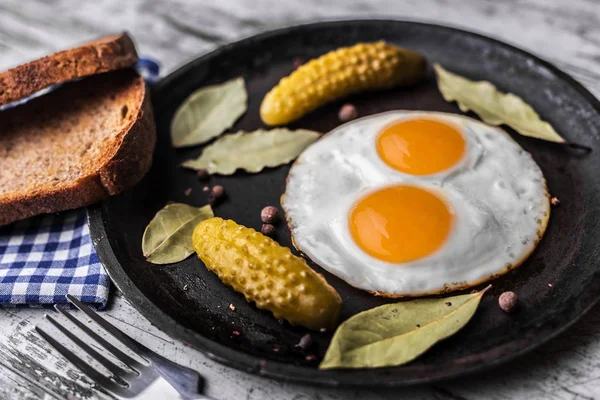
[{"x": 400, "y": 223}]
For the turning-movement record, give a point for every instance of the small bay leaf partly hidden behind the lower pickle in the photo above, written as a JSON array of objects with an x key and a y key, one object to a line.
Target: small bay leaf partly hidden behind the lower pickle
[{"x": 168, "y": 237}]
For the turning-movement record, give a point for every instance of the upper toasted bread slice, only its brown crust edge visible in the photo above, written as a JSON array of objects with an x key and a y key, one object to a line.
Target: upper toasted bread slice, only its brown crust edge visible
[{"x": 106, "y": 54}]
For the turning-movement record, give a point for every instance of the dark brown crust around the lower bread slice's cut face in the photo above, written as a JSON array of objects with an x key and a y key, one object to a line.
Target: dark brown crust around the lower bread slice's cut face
[{"x": 127, "y": 160}]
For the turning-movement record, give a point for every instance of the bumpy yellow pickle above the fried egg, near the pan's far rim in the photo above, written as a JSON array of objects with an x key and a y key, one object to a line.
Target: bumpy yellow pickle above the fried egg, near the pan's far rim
[{"x": 337, "y": 74}]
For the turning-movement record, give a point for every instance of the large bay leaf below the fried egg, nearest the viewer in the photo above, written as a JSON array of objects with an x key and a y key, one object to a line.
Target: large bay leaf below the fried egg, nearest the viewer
[{"x": 394, "y": 334}]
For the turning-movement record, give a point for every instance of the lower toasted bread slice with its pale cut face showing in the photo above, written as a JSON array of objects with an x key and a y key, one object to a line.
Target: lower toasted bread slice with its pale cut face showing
[{"x": 75, "y": 146}]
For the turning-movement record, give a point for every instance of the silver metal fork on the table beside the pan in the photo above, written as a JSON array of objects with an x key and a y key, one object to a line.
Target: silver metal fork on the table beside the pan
[{"x": 123, "y": 383}]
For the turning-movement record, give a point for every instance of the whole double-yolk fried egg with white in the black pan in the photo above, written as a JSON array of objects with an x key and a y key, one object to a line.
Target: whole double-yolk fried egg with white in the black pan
[{"x": 409, "y": 203}]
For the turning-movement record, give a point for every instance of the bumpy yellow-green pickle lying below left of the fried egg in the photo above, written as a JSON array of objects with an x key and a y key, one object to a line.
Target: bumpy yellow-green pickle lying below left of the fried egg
[{"x": 267, "y": 274}]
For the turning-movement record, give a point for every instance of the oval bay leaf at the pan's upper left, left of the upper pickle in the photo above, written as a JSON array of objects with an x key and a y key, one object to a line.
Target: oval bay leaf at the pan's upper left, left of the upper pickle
[{"x": 208, "y": 112}]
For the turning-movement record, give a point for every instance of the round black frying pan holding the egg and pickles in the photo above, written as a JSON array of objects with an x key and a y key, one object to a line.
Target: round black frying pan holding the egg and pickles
[{"x": 556, "y": 285}]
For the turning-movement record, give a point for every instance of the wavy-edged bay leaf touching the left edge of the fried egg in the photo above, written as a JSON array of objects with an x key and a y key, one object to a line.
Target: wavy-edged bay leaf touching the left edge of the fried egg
[{"x": 252, "y": 151}]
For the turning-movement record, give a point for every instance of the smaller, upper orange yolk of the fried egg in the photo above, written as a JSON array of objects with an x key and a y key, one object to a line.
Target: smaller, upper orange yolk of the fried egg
[{"x": 420, "y": 146}]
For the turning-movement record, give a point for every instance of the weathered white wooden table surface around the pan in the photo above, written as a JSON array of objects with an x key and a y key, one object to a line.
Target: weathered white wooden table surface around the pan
[{"x": 566, "y": 33}]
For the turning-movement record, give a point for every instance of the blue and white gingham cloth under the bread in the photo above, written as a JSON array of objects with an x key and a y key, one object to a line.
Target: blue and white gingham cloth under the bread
[{"x": 45, "y": 257}]
